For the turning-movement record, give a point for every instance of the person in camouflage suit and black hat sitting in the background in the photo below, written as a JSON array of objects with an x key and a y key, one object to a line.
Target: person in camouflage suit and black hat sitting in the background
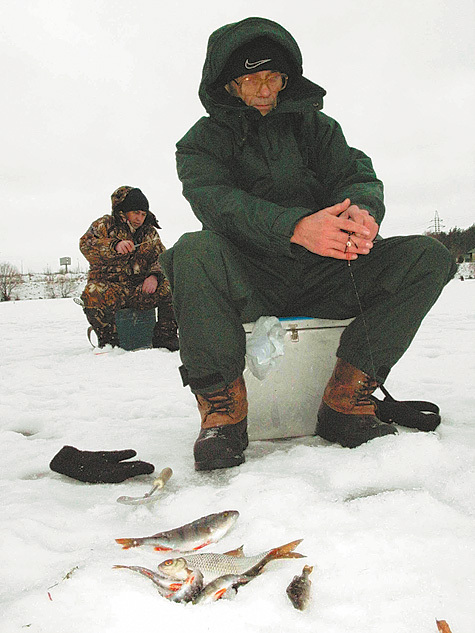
[{"x": 122, "y": 250}]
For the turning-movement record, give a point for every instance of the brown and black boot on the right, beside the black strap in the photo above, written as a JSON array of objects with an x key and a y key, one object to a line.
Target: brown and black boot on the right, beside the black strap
[{"x": 347, "y": 413}]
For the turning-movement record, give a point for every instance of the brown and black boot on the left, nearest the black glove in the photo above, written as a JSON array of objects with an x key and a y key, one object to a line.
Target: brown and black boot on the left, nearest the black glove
[{"x": 223, "y": 436}]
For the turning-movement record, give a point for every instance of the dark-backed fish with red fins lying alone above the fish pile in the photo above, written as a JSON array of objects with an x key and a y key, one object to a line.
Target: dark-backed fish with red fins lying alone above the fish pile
[{"x": 189, "y": 537}]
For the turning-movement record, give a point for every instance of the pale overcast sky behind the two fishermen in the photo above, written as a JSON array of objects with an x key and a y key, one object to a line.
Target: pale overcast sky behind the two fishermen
[{"x": 95, "y": 94}]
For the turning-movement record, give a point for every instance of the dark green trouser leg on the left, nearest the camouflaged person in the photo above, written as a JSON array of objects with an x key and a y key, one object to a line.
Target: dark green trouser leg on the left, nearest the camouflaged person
[{"x": 212, "y": 297}]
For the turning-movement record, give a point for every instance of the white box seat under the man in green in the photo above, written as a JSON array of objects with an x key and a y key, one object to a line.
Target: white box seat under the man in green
[{"x": 286, "y": 402}]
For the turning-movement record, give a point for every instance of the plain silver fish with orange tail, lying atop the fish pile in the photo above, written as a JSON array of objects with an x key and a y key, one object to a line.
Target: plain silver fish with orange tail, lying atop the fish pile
[{"x": 214, "y": 565}]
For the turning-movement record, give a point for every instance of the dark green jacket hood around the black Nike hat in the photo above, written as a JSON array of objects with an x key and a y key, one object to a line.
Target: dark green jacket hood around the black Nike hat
[{"x": 225, "y": 40}]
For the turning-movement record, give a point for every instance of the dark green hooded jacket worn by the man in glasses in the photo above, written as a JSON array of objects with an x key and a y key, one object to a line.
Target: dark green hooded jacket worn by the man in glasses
[{"x": 251, "y": 178}]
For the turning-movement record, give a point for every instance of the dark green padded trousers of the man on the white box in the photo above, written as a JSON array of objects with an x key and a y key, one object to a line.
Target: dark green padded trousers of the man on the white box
[{"x": 216, "y": 288}]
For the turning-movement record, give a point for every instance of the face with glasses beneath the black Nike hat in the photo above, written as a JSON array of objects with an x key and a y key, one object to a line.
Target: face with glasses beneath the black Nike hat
[{"x": 258, "y": 90}]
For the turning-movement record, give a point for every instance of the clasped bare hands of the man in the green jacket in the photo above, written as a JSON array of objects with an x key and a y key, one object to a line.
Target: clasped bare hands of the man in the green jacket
[{"x": 328, "y": 231}]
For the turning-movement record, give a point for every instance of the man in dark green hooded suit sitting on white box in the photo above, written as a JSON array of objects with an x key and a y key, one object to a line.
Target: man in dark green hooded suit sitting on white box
[{"x": 290, "y": 217}]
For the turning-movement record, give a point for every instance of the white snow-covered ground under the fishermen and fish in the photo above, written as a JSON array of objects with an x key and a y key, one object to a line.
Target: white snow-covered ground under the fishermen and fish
[{"x": 388, "y": 526}]
